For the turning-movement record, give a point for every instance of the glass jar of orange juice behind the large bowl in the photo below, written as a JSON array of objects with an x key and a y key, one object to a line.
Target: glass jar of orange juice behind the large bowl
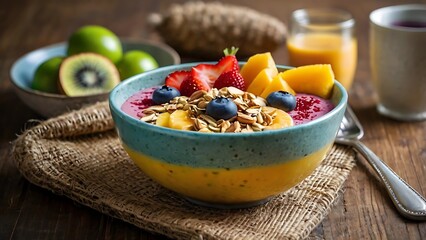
[{"x": 324, "y": 36}]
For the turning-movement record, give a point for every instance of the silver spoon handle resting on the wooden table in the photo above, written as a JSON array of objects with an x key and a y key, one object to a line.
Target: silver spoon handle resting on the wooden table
[{"x": 407, "y": 200}]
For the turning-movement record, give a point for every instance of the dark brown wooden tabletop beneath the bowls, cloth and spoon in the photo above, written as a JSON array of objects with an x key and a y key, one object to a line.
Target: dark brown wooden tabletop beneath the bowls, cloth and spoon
[{"x": 28, "y": 212}]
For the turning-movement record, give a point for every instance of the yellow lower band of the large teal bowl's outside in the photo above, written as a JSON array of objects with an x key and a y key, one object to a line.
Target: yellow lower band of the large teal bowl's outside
[{"x": 232, "y": 186}]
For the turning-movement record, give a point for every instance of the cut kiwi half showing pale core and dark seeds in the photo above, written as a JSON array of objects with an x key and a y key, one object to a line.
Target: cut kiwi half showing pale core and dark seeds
[{"x": 86, "y": 74}]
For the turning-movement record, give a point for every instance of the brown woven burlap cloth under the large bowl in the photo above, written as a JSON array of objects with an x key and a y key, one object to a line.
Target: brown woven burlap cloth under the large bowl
[{"x": 79, "y": 155}]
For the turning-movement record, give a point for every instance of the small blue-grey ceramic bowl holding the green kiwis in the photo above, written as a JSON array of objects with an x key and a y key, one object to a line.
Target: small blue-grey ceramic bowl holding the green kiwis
[{"x": 47, "y": 104}]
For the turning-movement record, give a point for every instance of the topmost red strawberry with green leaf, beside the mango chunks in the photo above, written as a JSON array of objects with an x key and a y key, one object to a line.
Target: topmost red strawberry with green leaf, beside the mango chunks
[{"x": 209, "y": 73}]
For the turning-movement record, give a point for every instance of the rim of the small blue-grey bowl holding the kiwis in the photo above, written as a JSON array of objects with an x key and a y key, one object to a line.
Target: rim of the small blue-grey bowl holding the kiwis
[{"x": 13, "y": 72}]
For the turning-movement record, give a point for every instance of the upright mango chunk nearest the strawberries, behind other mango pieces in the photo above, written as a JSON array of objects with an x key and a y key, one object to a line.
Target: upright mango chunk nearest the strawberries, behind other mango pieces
[{"x": 255, "y": 64}]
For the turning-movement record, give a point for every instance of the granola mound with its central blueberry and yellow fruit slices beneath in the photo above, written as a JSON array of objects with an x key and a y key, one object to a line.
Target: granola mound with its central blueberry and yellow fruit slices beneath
[{"x": 218, "y": 110}]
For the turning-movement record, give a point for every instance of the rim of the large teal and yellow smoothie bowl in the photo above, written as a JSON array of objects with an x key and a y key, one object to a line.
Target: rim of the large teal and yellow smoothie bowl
[{"x": 169, "y": 131}]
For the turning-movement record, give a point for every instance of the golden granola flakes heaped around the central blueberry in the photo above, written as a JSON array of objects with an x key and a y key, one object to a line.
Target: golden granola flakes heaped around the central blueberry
[{"x": 253, "y": 114}]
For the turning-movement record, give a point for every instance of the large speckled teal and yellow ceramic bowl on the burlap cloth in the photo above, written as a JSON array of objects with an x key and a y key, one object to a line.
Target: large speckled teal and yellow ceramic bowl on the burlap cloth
[{"x": 225, "y": 170}]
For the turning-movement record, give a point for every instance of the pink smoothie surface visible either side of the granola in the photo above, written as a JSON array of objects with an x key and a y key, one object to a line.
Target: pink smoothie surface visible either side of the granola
[{"x": 308, "y": 107}]
